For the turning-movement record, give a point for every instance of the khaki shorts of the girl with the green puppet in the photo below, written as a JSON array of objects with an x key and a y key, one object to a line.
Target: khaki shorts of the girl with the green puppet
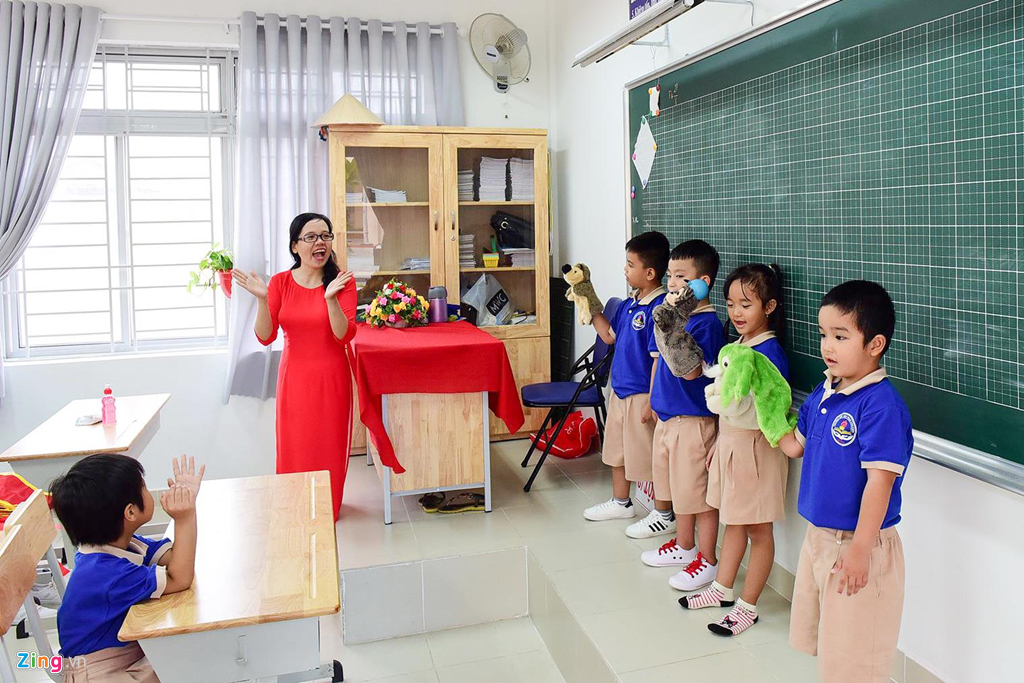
[{"x": 747, "y": 482}]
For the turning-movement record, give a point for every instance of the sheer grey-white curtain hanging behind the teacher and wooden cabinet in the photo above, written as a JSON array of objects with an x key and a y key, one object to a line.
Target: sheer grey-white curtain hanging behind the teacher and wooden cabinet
[{"x": 290, "y": 73}]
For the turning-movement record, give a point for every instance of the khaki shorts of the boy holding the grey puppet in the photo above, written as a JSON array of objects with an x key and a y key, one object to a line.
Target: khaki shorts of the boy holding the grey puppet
[{"x": 681, "y": 447}]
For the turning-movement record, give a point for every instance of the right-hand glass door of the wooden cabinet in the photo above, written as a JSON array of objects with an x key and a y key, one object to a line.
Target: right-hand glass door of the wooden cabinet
[{"x": 497, "y": 202}]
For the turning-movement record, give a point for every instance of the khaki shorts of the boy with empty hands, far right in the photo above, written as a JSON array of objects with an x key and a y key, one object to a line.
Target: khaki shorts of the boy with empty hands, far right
[{"x": 855, "y": 637}]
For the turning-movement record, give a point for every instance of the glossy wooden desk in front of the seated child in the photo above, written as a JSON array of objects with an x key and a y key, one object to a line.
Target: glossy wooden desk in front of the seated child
[{"x": 267, "y": 569}]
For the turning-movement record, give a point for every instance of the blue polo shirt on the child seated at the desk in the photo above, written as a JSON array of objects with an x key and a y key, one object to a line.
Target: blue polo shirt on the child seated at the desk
[{"x": 105, "y": 584}]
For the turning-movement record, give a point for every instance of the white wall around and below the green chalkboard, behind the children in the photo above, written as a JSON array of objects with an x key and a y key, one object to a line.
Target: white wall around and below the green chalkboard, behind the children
[{"x": 962, "y": 537}]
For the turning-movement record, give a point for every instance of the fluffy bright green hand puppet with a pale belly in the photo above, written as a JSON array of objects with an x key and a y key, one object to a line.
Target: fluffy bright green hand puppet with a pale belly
[{"x": 748, "y": 382}]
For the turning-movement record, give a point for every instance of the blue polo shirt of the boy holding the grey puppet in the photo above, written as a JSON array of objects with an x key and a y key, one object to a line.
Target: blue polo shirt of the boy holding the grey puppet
[{"x": 673, "y": 396}]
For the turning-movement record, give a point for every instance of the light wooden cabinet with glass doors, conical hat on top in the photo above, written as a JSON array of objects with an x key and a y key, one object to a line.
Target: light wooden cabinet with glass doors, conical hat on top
[{"x": 413, "y": 203}]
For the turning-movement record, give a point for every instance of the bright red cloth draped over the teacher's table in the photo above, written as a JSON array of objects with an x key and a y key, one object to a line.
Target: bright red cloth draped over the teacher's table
[{"x": 447, "y": 358}]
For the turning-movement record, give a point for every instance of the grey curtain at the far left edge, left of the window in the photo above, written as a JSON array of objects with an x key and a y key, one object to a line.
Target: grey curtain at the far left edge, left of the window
[{"x": 47, "y": 54}]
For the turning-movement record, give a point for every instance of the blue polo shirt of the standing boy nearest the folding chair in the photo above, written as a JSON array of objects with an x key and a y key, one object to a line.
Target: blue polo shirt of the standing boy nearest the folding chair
[{"x": 634, "y": 330}]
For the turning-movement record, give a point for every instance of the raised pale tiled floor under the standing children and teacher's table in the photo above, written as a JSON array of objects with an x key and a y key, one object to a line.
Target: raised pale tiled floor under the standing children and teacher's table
[{"x": 627, "y": 609}]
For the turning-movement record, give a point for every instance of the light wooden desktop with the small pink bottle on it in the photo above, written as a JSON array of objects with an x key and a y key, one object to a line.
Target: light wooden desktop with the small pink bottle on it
[{"x": 54, "y": 447}]
